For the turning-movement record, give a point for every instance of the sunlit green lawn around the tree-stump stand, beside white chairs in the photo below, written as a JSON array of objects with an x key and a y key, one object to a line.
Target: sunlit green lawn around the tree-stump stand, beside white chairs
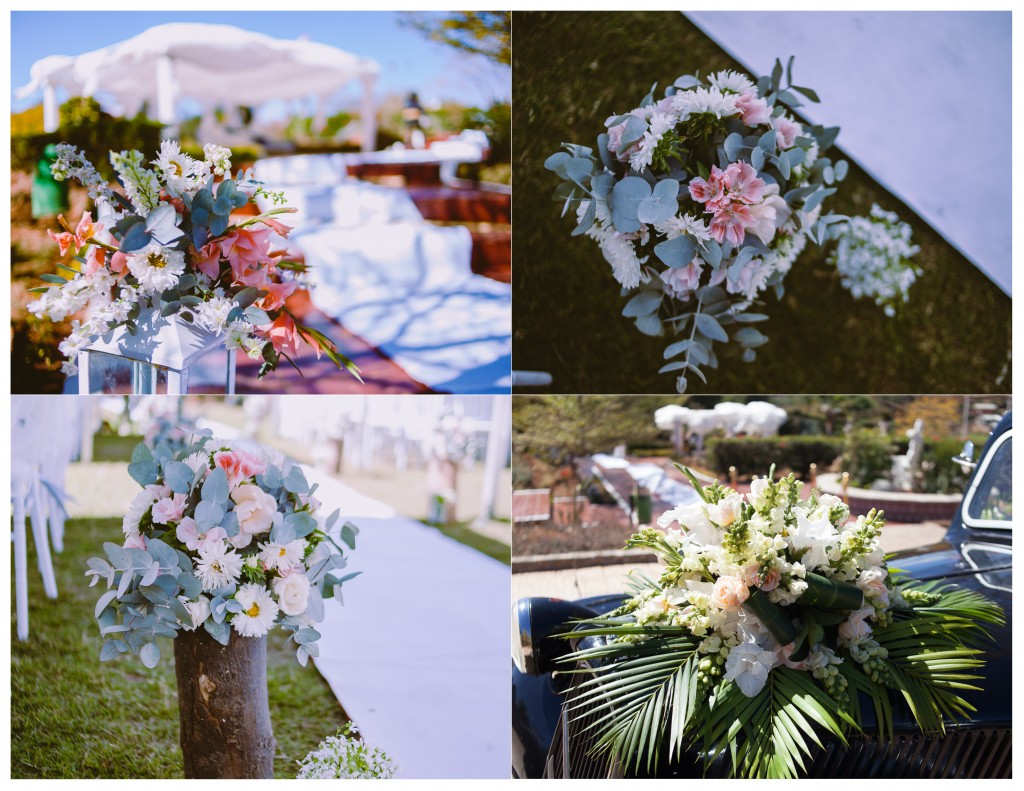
[{"x": 73, "y": 717}]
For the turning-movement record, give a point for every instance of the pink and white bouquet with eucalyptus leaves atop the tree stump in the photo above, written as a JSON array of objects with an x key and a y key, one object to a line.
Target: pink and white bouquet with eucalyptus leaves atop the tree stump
[{"x": 221, "y": 538}]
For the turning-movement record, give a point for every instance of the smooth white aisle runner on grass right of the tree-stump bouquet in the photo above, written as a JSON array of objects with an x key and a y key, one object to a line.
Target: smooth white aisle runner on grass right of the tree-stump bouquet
[{"x": 418, "y": 655}]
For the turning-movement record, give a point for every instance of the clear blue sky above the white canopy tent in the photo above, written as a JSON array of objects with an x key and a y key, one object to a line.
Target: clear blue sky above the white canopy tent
[{"x": 409, "y": 61}]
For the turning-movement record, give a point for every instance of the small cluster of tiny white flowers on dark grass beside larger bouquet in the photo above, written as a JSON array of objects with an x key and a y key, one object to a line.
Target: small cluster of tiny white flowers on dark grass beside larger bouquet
[{"x": 873, "y": 258}]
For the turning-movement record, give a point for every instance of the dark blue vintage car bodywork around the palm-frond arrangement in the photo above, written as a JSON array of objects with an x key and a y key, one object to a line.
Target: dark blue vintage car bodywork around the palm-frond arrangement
[{"x": 975, "y": 555}]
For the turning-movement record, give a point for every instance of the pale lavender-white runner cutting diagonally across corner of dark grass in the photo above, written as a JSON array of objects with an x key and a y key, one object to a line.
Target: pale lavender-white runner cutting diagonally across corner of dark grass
[{"x": 924, "y": 102}]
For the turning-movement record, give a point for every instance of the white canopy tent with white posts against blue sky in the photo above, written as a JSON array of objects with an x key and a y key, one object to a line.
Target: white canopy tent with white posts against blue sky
[{"x": 210, "y": 64}]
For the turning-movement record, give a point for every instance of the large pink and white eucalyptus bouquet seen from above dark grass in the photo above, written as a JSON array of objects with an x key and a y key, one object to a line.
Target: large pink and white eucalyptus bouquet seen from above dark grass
[{"x": 701, "y": 202}]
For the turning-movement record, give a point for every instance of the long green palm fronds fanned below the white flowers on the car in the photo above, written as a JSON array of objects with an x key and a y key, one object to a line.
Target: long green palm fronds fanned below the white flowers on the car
[{"x": 650, "y": 689}]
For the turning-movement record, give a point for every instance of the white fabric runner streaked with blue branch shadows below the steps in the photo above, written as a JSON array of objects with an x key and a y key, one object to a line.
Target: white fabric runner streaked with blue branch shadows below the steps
[{"x": 408, "y": 289}]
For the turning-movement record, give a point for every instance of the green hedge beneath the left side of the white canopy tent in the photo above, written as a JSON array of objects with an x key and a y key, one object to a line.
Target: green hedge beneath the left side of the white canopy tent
[{"x": 84, "y": 126}]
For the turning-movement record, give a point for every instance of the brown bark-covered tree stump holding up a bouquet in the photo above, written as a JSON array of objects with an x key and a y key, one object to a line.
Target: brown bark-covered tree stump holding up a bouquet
[{"x": 224, "y": 706}]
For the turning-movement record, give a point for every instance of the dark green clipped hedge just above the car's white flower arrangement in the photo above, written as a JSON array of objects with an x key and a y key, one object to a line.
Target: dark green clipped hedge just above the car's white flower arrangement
[{"x": 753, "y": 455}]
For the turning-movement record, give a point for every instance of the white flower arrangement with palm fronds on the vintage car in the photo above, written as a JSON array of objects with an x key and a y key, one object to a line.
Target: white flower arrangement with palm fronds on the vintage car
[{"x": 773, "y": 615}]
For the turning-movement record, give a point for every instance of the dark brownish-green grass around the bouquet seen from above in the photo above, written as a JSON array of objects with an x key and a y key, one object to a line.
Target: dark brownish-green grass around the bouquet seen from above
[{"x": 571, "y": 72}]
